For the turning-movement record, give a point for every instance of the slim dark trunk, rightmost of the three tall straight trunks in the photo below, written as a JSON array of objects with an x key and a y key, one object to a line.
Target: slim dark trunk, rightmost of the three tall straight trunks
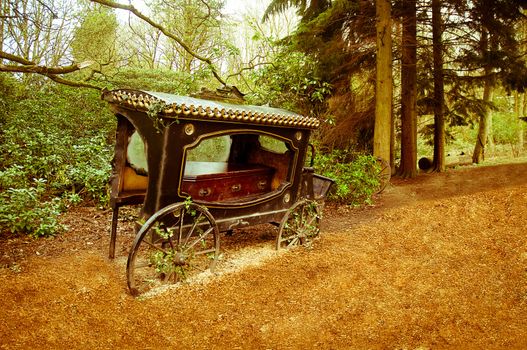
[{"x": 439, "y": 118}]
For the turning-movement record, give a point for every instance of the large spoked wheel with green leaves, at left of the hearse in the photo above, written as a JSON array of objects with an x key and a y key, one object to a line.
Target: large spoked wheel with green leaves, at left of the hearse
[{"x": 176, "y": 242}]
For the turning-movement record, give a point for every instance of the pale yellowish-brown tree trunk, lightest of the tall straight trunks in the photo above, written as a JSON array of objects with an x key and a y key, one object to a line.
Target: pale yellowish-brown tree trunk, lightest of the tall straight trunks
[{"x": 383, "y": 87}]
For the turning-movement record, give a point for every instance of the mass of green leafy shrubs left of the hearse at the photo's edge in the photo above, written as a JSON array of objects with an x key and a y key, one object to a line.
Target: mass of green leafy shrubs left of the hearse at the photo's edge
[{"x": 63, "y": 138}]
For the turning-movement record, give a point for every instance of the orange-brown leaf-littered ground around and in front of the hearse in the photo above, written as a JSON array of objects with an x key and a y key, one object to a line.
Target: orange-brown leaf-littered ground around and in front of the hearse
[{"x": 439, "y": 262}]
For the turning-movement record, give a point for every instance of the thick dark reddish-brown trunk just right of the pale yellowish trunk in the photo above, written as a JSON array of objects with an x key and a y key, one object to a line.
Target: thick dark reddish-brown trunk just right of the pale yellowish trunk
[{"x": 409, "y": 92}]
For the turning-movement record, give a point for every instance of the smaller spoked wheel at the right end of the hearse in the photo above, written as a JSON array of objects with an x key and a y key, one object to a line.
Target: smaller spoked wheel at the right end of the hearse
[{"x": 300, "y": 225}]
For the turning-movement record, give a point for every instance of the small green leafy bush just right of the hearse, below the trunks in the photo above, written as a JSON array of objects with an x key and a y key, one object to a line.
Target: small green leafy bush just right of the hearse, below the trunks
[{"x": 355, "y": 181}]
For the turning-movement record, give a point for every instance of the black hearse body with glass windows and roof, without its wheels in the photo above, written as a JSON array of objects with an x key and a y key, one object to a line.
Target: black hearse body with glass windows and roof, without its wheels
[{"x": 256, "y": 185}]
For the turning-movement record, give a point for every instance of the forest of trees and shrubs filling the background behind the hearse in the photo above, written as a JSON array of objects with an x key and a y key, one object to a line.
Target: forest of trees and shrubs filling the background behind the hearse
[{"x": 404, "y": 80}]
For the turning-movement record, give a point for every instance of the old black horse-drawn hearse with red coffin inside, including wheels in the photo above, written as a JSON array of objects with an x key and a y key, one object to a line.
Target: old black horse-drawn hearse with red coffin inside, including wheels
[{"x": 201, "y": 167}]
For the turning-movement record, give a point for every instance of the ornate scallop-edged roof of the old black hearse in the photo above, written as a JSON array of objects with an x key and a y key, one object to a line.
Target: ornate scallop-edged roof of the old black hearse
[{"x": 173, "y": 106}]
